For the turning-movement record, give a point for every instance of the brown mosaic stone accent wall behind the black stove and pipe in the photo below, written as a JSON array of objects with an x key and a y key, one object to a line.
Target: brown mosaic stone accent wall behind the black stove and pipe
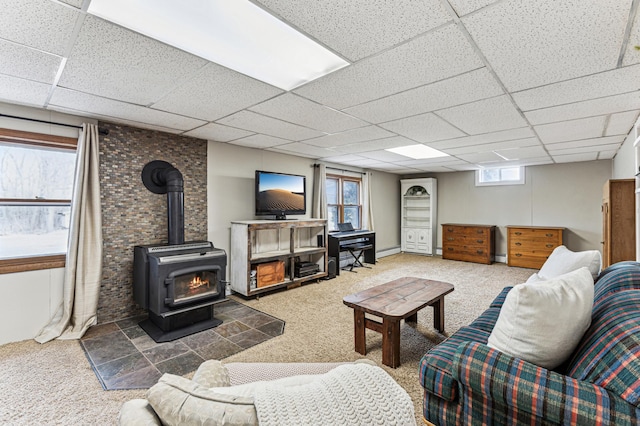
[{"x": 133, "y": 215}]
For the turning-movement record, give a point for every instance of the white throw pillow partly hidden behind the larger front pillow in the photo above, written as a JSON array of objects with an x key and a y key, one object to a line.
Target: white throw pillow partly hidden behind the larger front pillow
[{"x": 562, "y": 260}]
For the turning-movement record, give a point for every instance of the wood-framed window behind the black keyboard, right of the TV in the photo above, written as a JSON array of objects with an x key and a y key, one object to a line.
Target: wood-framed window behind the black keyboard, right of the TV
[{"x": 344, "y": 201}]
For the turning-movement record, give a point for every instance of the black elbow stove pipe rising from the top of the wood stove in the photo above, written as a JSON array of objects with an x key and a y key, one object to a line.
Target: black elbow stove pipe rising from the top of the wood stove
[{"x": 161, "y": 177}]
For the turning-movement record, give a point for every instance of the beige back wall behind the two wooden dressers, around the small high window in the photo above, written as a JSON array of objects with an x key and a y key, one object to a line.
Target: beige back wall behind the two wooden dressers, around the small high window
[{"x": 566, "y": 195}]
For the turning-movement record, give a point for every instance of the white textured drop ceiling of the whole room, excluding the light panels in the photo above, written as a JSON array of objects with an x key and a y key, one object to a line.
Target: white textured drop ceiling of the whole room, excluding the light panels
[{"x": 491, "y": 83}]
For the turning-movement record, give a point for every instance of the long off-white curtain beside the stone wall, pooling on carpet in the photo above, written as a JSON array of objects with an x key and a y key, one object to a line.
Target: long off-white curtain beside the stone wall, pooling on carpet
[{"x": 83, "y": 269}]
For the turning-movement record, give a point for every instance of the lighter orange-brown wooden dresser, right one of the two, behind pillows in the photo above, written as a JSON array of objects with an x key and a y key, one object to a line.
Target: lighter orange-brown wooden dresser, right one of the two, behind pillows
[{"x": 530, "y": 246}]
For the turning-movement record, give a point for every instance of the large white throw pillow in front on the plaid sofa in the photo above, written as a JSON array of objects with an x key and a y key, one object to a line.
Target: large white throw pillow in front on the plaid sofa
[{"x": 543, "y": 322}]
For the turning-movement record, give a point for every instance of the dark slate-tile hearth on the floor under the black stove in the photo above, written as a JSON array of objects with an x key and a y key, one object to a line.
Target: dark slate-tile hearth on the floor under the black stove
[{"x": 123, "y": 356}]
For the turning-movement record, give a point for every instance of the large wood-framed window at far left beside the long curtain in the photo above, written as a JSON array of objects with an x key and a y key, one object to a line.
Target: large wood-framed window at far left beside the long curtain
[{"x": 35, "y": 199}]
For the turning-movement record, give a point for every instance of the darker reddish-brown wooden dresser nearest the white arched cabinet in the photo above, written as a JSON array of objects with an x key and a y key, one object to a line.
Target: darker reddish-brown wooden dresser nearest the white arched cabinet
[{"x": 471, "y": 243}]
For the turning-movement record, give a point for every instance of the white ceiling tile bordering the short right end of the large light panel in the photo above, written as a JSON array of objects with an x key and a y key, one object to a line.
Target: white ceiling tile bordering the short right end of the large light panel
[{"x": 446, "y": 51}]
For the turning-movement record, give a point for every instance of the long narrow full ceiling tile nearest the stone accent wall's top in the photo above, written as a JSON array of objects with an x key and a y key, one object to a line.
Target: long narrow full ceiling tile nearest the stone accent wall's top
[{"x": 109, "y": 108}]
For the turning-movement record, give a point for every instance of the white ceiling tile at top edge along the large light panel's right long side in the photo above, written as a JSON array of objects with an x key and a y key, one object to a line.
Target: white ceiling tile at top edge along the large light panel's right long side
[{"x": 359, "y": 28}]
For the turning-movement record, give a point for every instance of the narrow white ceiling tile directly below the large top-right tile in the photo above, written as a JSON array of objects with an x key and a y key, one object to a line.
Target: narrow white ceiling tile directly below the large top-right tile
[{"x": 618, "y": 81}]
